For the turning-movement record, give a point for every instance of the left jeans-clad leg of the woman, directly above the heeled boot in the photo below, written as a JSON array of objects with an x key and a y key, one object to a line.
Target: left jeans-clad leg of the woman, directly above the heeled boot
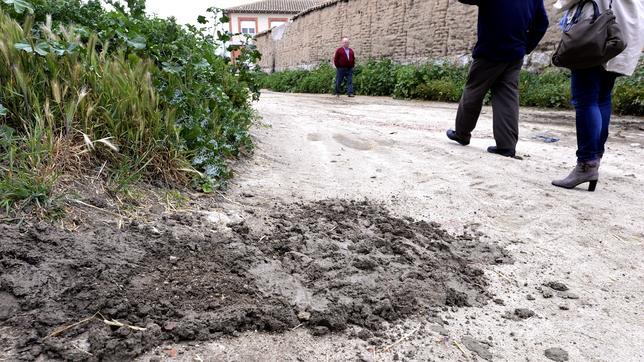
[{"x": 585, "y": 87}]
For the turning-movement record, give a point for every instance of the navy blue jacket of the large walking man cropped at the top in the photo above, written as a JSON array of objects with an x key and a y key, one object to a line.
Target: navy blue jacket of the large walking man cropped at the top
[{"x": 509, "y": 29}]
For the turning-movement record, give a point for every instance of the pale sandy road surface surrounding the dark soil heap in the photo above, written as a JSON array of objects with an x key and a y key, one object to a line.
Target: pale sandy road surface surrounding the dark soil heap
[{"x": 313, "y": 147}]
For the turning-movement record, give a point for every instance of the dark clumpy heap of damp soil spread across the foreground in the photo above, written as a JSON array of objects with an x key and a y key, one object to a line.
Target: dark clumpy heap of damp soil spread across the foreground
[{"x": 324, "y": 265}]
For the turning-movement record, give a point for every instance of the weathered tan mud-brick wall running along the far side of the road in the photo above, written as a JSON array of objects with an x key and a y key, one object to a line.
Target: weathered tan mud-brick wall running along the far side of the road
[{"x": 406, "y": 31}]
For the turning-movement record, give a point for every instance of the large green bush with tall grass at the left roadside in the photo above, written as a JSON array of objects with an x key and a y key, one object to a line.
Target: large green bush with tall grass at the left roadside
[{"x": 87, "y": 90}]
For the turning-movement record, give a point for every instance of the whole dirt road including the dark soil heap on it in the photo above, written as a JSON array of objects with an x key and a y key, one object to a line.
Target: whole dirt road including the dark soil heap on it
[{"x": 356, "y": 231}]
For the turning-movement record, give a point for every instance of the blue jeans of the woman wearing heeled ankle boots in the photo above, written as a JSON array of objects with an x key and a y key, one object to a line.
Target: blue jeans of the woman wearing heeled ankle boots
[{"x": 592, "y": 97}]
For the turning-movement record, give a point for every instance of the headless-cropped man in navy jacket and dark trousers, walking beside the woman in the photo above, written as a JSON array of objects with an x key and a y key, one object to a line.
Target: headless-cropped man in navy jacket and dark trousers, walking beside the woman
[{"x": 507, "y": 31}]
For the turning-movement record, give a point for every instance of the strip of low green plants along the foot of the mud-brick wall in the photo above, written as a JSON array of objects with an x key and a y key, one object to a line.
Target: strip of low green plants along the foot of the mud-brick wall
[{"x": 445, "y": 82}]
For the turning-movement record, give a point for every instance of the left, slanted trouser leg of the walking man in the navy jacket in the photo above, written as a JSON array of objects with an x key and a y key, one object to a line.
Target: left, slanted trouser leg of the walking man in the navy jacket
[{"x": 482, "y": 75}]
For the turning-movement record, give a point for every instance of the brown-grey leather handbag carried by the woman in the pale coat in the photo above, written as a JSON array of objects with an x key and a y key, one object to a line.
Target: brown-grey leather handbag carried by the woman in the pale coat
[{"x": 590, "y": 42}]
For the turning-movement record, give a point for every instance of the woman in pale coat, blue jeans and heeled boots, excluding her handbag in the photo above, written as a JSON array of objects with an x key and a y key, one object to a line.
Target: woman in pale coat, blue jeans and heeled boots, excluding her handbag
[{"x": 592, "y": 88}]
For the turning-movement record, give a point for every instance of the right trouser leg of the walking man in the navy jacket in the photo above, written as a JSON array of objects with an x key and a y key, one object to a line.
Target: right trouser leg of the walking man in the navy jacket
[{"x": 505, "y": 108}]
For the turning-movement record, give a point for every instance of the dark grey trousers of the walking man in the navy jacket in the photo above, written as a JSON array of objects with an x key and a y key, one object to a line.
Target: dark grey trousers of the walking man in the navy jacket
[{"x": 503, "y": 80}]
